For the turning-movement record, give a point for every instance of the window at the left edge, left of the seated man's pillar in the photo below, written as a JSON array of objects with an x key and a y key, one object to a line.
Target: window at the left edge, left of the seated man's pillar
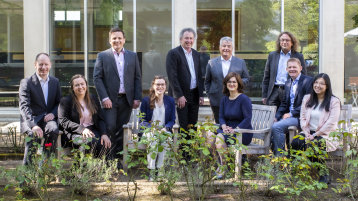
[{"x": 11, "y": 50}]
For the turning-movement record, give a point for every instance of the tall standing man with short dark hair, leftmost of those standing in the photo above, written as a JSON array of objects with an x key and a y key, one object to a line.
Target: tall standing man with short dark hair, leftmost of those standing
[{"x": 117, "y": 78}]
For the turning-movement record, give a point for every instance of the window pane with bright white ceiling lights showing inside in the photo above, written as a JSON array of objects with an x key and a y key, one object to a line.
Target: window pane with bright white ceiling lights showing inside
[{"x": 66, "y": 39}]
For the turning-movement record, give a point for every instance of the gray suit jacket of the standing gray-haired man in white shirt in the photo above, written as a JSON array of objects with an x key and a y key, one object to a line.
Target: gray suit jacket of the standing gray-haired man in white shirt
[{"x": 214, "y": 77}]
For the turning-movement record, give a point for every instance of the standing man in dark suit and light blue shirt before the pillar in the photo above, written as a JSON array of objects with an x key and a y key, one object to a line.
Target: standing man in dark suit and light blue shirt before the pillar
[{"x": 185, "y": 81}]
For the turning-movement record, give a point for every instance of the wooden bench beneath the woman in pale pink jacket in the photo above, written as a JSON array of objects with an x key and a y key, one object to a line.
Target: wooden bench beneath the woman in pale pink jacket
[{"x": 345, "y": 125}]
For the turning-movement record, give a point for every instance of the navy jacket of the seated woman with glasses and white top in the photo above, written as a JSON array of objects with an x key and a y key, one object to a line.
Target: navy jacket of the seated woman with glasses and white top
[{"x": 169, "y": 105}]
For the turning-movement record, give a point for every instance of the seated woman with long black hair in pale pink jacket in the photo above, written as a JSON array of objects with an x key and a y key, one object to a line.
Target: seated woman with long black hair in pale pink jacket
[{"x": 319, "y": 116}]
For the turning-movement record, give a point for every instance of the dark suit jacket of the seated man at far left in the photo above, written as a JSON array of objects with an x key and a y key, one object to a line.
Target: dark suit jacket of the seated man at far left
[{"x": 32, "y": 103}]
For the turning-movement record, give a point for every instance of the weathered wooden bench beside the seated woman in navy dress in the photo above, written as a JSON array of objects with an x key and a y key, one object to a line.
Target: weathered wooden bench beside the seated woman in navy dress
[{"x": 263, "y": 117}]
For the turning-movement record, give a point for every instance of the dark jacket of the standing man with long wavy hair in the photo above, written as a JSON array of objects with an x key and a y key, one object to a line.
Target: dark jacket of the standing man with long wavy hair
[{"x": 270, "y": 73}]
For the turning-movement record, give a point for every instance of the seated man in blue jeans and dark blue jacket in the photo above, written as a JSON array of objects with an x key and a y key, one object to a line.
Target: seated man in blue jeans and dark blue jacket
[{"x": 288, "y": 113}]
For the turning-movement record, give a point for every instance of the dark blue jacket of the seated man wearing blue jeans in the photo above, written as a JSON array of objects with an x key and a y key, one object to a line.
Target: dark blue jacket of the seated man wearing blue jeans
[{"x": 304, "y": 87}]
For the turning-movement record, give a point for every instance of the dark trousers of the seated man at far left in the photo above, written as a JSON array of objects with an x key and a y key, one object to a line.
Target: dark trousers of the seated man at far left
[{"x": 50, "y": 131}]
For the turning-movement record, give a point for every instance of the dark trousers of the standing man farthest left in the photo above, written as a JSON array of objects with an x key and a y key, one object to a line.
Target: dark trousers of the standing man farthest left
[{"x": 116, "y": 117}]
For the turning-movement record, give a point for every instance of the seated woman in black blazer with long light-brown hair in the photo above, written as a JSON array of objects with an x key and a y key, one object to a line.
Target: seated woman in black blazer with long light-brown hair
[{"x": 81, "y": 117}]
